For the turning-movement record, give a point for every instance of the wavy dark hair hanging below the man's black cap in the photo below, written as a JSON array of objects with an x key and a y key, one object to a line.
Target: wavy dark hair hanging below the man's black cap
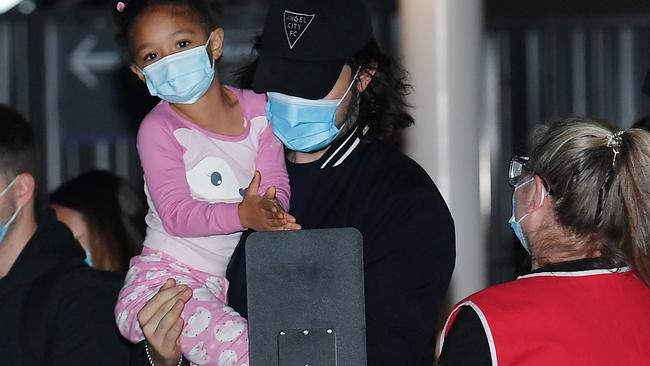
[{"x": 383, "y": 104}]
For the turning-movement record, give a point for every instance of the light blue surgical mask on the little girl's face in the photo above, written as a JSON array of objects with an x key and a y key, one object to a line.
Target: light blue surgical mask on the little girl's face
[{"x": 182, "y": 77}]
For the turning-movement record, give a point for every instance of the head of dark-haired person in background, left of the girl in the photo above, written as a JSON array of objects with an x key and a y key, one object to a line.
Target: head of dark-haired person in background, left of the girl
[{"x": 106, "y": 215}]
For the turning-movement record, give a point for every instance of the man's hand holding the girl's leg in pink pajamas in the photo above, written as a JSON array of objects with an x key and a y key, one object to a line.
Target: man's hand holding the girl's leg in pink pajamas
[{"x": 161, "y": 322}]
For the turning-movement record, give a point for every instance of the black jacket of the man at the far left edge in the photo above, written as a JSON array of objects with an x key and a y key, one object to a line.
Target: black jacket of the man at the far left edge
[{"x": 54, "y": 309}]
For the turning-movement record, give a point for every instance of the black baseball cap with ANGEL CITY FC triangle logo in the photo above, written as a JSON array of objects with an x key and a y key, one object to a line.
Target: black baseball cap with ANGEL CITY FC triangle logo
[{"x": 305, "y": 44}]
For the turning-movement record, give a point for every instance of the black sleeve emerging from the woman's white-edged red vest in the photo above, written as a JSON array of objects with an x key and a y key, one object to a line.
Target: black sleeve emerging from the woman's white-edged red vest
[{"x": 466, "y": 342}]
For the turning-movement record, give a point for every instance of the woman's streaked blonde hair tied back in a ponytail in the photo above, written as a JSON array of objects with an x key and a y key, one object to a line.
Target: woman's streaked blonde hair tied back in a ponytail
[{"x": 601, "y": 182}]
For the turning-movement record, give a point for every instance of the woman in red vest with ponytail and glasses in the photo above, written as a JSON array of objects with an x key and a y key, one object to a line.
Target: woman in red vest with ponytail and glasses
[{"x": 581, "y": 208}]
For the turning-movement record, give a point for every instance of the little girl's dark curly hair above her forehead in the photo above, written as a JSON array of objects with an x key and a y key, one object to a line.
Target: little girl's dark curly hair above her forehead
[{"x": 206, "y": 12}]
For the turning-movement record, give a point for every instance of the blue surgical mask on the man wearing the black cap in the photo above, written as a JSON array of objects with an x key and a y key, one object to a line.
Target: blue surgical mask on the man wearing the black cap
[{"x": 304, "y": 125}]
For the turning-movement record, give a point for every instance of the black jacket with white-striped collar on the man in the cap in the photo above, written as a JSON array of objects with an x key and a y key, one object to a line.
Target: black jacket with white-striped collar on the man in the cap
[{"x": 408, "y": 233}]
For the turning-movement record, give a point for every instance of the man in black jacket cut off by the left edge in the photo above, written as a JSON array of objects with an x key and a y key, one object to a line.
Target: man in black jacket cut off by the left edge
[{"x": 54, "y": 309}]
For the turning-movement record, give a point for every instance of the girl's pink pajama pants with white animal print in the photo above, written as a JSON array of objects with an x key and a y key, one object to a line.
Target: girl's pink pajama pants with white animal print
[{"x": 213, "y": 334}]
